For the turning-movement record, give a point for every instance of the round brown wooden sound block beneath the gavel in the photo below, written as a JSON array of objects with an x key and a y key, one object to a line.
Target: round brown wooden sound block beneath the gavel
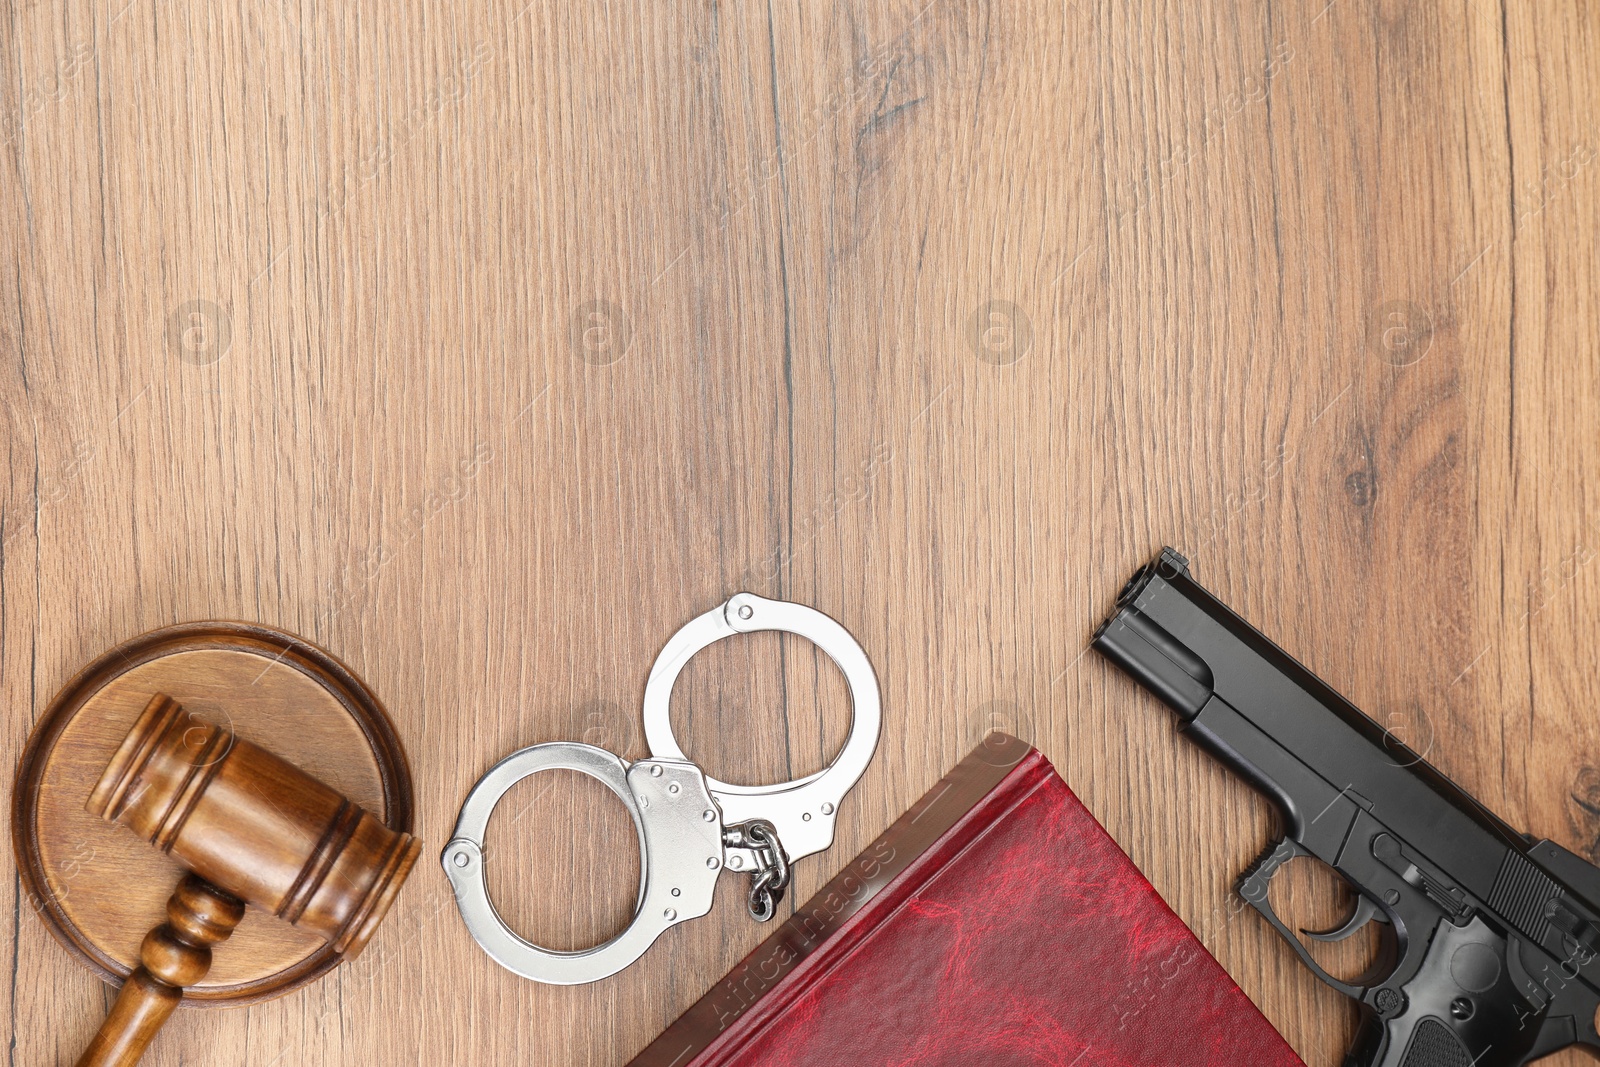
[{"x": 100, "y": 889}]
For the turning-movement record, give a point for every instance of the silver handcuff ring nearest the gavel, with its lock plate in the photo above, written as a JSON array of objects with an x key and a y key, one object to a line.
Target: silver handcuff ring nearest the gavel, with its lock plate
[{"x": 679, "y": 842}]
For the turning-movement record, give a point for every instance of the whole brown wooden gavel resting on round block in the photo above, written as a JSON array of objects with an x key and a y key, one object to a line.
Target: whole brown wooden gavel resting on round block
[{"x": 252, "y": 829}]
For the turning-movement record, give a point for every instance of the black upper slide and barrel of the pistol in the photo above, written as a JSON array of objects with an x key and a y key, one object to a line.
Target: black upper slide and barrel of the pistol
[{"x": 1292, "y": 735}]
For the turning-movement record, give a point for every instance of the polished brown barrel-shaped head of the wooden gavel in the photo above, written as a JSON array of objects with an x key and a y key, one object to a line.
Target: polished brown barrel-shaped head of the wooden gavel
[{"x": 255, "y": 826}]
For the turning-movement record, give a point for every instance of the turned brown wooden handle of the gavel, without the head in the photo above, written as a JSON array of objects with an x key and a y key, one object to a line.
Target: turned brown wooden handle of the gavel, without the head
[{"x": 174, "y": 956}]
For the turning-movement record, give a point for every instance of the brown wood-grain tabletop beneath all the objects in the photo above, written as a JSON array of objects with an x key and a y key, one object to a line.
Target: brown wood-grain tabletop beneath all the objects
[{"x": 487, "y": 345}]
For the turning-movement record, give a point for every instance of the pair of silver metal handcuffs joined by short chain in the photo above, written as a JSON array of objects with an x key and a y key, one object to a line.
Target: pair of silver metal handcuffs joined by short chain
[{"x": 690, "y": 826}]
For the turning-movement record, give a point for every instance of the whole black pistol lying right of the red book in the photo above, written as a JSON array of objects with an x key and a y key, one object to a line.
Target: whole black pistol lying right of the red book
[{"x": 1490, "y": 951}]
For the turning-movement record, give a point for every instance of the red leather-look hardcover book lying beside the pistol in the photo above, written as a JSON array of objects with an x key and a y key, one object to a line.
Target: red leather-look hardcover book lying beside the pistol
[{"x": 996, "y": 924}]
